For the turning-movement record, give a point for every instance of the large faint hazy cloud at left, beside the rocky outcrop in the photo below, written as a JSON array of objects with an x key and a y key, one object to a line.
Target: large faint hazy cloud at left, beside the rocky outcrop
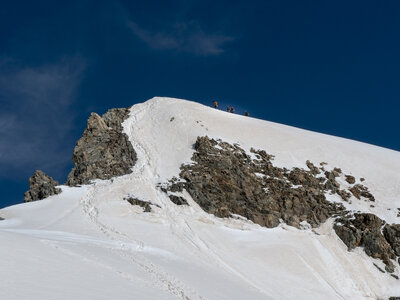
[{"x": 37, "y": 116}]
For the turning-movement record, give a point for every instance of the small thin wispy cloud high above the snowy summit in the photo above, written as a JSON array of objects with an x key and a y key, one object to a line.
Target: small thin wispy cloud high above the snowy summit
[{"x": 186, "y": 37}]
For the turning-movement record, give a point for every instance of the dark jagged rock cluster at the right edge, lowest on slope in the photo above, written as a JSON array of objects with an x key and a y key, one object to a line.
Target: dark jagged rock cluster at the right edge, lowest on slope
[{"x": 364, "y": 230}]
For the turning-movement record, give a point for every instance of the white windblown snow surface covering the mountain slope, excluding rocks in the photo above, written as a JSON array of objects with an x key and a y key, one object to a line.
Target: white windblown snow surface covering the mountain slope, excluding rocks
[{"x": 89, "y": 243}]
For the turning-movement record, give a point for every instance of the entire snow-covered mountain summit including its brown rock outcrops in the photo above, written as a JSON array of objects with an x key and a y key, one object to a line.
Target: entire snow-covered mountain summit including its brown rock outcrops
[{"x": 170, "y": 199}]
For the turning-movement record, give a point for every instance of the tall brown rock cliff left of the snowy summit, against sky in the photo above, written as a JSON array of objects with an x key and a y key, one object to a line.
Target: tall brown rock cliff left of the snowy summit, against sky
[{"x": 103, "y": 151}]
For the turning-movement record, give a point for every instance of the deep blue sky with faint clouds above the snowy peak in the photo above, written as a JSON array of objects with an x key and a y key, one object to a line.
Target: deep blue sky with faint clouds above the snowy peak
[{"x": 327, "y": 66}]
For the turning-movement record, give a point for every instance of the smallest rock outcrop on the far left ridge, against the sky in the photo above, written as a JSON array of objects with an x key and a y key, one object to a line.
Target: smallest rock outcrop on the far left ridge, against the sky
[{"x": 40, "y": 186}]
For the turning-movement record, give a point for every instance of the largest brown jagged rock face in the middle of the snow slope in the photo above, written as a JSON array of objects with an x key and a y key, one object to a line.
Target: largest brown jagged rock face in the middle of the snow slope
[{"x": 224, "y": 181}]
